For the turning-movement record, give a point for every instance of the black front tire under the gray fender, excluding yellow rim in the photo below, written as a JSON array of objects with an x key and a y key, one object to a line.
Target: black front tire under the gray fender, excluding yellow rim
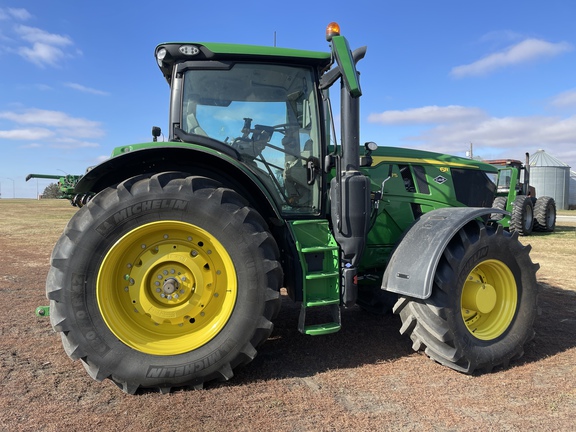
[{"x": 436, "y": 325}]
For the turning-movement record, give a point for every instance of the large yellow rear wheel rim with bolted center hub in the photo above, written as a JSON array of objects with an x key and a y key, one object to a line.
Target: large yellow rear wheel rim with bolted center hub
[{"x": 166, "y": 288}]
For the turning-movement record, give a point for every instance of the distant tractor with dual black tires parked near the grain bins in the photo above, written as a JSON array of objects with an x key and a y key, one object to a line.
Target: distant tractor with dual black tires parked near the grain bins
[{"x": 526, "y": 213}]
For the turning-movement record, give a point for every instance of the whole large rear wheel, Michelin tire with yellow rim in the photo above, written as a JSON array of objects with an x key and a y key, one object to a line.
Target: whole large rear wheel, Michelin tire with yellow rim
[{"x": 164, "y": 281}]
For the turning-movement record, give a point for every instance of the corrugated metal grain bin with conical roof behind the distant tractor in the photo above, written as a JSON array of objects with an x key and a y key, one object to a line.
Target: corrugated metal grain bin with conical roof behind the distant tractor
[{"x": 550, "y": 177}]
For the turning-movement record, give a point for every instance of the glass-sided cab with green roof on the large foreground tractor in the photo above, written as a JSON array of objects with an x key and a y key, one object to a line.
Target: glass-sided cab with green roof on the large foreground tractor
[{"x": 258, "y": 105}]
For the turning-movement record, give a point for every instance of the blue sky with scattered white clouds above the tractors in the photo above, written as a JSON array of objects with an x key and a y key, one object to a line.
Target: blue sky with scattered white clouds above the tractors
[{"x": 79, "y": 78}]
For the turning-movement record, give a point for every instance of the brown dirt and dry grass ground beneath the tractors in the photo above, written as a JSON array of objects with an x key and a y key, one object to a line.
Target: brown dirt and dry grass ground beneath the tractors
[{"x": 364, "y": 378}]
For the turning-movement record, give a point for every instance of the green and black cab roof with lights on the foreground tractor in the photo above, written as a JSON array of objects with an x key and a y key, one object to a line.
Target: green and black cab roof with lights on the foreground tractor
[{"x": 168, "y": 54}]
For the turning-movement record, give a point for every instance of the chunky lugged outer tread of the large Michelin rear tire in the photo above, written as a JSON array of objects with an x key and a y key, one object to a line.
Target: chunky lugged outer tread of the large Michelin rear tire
[{"x": 59, "y": 274}]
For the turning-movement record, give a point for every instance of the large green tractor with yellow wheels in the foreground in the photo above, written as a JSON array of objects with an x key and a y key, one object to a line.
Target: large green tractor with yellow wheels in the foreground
[{"x": 169, "y": 276}]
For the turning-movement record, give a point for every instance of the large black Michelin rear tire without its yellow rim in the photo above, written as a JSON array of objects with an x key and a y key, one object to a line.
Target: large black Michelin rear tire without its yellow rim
[{"x": 204, "y": 203}]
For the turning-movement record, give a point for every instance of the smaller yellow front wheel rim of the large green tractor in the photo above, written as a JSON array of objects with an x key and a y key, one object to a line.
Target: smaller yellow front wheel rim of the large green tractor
[{"x": 489, "y": 299}]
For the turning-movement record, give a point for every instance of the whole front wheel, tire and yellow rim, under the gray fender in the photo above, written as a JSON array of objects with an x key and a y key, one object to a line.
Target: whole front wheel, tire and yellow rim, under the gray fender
[{"x": 483, "y": 305}]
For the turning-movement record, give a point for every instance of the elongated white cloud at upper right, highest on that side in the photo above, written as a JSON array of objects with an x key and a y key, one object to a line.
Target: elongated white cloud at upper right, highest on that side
[{"x": 526, "y": 51}]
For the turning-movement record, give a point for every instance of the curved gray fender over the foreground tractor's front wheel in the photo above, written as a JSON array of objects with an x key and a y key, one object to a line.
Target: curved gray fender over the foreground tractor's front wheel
[{"x": 413, "y": 263}]
